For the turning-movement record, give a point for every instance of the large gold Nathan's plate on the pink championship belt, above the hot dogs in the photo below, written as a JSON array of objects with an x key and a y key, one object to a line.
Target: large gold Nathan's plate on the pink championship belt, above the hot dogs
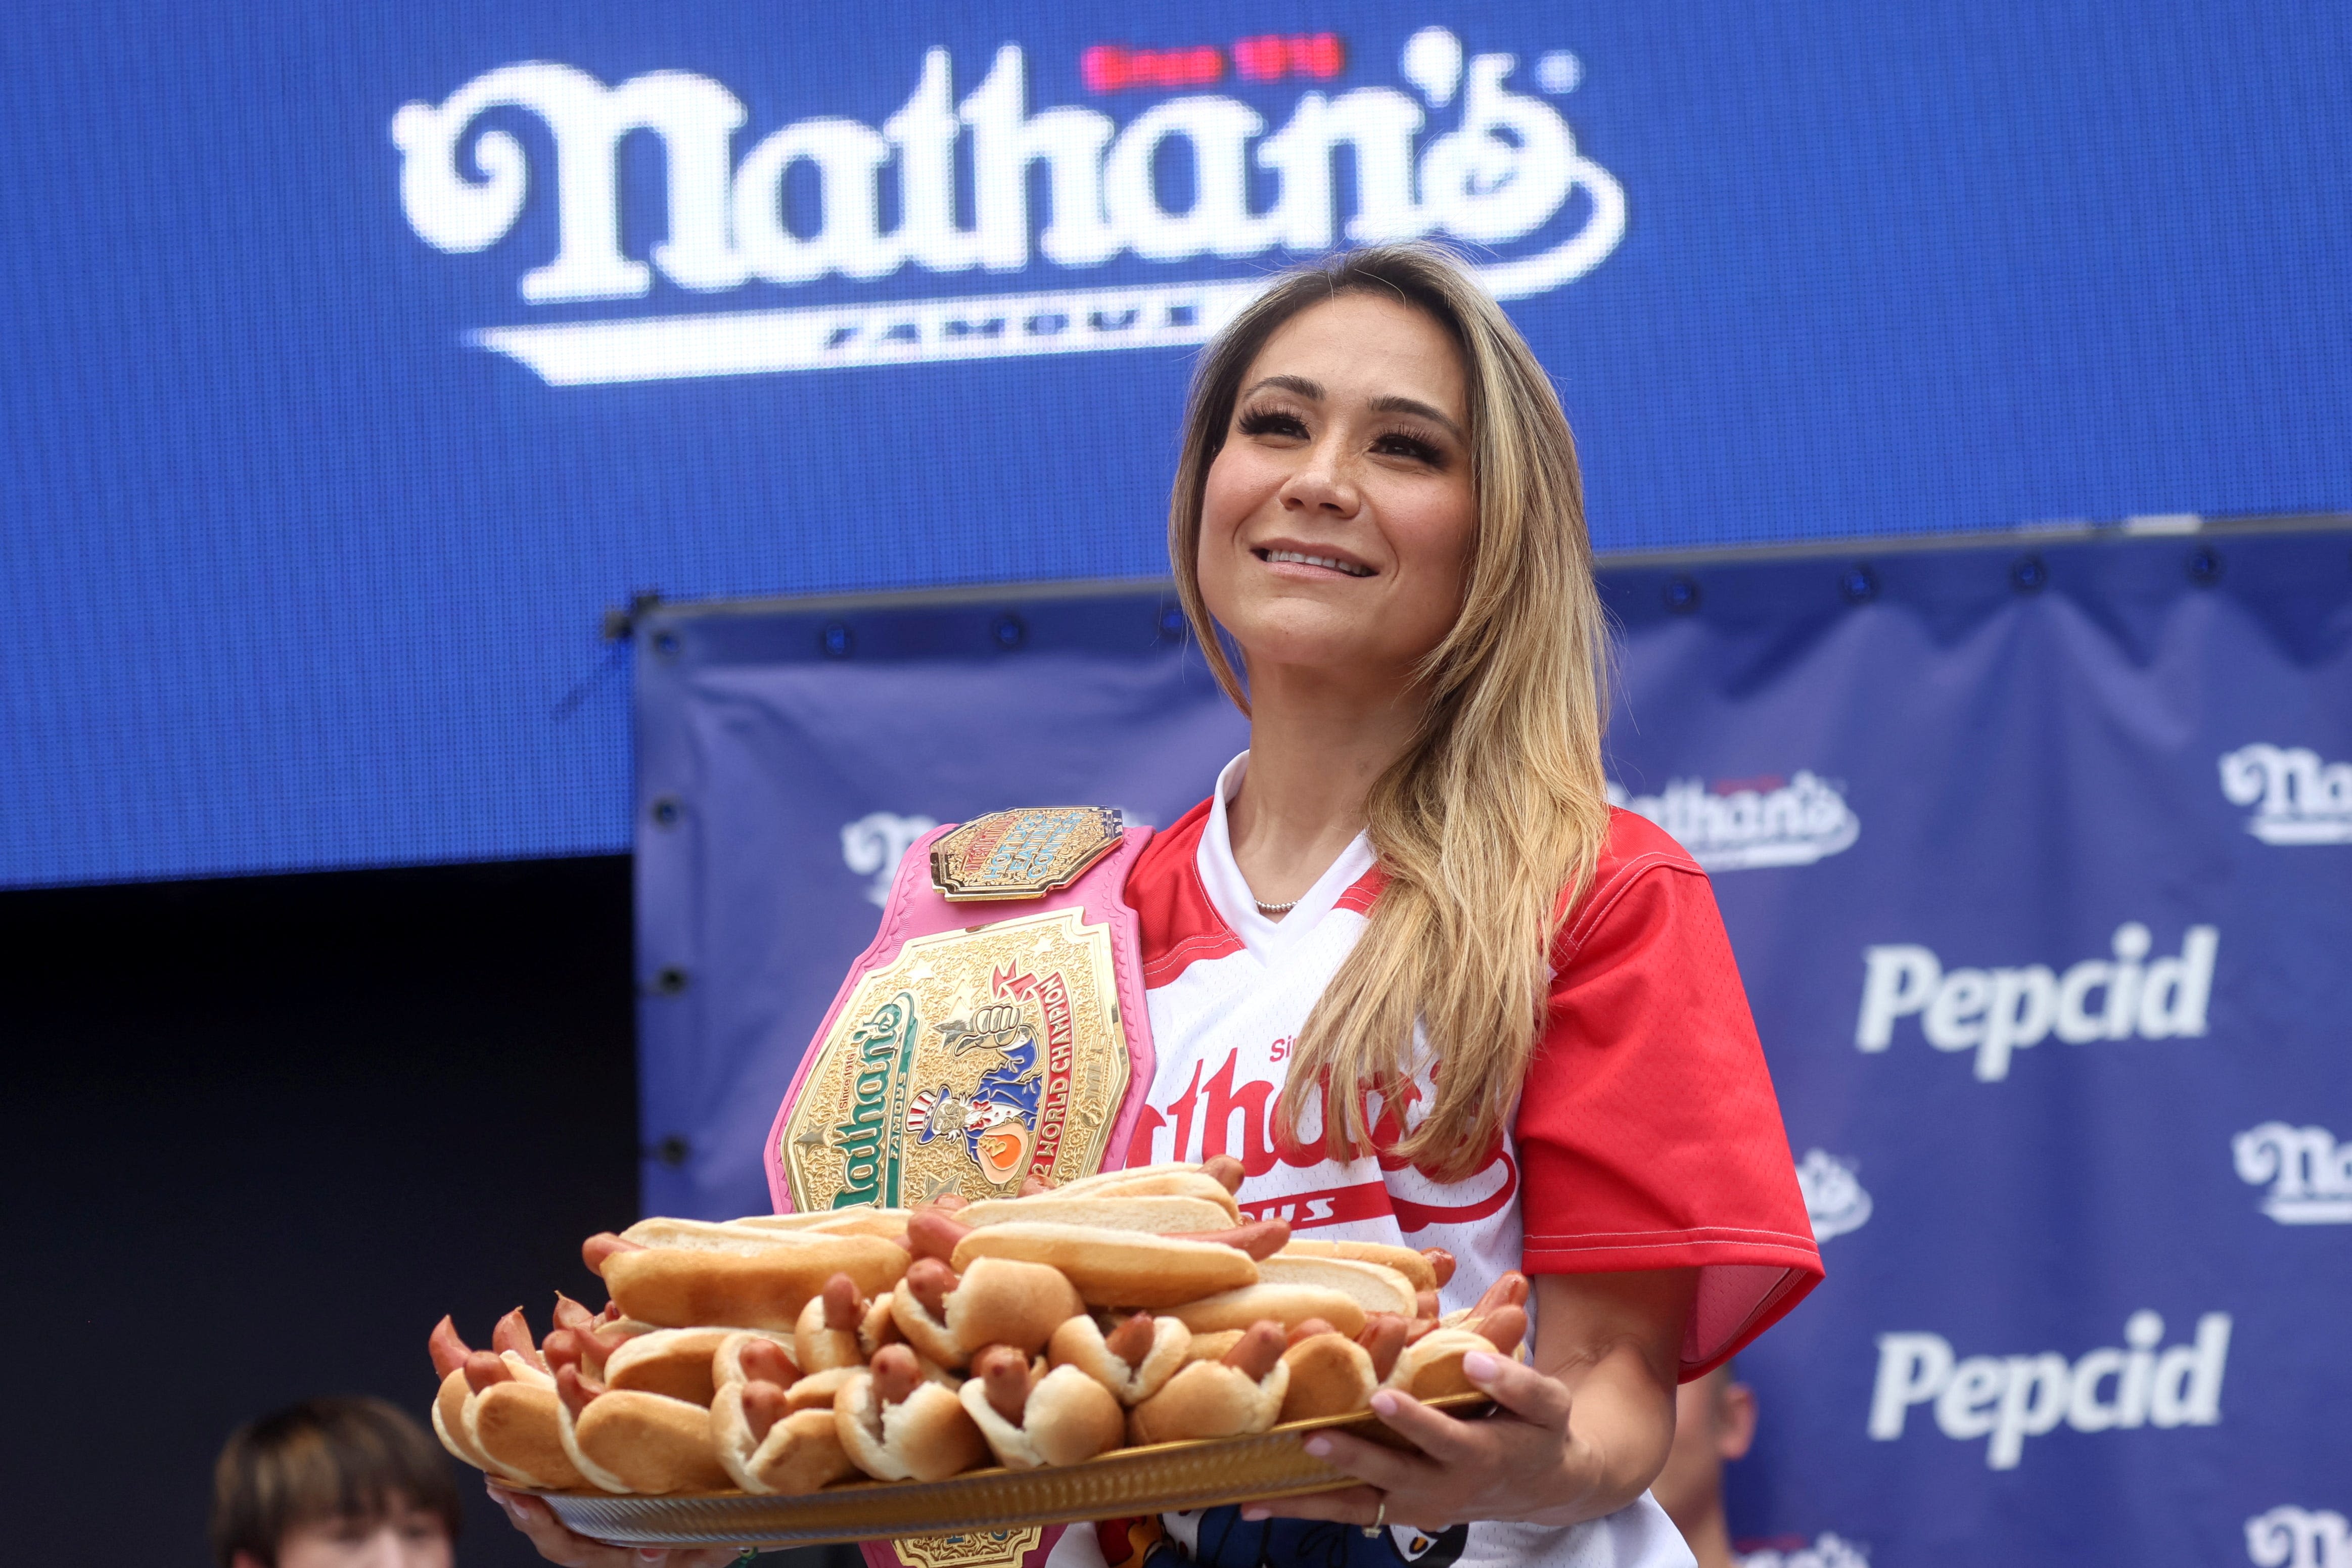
[{"x": 970, "y": 1061}]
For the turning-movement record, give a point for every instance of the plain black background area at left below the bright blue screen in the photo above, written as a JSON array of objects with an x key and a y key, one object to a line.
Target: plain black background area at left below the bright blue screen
[{"x": 265, "y": 1134}]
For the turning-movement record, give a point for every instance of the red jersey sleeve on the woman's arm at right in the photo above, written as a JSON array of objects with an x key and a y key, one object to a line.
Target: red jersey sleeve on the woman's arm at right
[{"x": 1650, "y": 1132}]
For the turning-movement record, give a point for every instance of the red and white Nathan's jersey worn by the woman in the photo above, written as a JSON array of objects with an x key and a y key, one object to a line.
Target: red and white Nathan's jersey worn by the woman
[{"x": 1648, "y": 1132}]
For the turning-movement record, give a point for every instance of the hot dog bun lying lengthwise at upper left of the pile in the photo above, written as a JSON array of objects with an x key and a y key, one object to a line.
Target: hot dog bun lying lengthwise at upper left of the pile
[{"x": 763, "y": 1287}]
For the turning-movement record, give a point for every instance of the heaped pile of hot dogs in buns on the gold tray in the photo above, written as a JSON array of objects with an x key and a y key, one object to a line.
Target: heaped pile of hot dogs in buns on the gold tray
[{"x": 787, "y": 1353}]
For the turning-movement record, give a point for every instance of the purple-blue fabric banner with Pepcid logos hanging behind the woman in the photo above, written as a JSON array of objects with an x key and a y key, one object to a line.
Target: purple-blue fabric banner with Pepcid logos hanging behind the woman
[{"x": 2038, "y": 862}]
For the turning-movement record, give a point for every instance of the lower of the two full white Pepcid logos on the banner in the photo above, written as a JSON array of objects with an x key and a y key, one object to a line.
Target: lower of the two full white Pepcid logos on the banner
[{"x": 2010, "y": 1400}]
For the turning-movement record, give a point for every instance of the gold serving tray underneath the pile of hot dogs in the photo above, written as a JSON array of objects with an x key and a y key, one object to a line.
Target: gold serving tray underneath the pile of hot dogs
[{"x": 1125, "y": 1482}]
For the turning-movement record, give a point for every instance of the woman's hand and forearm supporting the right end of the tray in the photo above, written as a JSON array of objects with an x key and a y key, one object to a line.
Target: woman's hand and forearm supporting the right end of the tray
[{"x": 1577, "y": 1435}]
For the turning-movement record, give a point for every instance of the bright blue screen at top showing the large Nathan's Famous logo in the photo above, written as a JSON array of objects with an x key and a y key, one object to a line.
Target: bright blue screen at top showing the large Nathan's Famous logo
[{"x": 366, "y": 354}]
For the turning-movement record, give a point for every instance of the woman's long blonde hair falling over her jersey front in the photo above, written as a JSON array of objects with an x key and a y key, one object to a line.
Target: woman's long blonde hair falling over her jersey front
[{"x": 1497, "y": 808}]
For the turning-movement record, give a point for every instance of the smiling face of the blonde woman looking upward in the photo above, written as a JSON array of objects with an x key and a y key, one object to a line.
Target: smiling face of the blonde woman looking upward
[{"x": 1337, "y": 518}]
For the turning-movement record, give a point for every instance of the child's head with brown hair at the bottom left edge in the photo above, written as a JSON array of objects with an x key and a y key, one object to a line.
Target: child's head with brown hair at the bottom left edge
[{"x": 330, "y": 1485}]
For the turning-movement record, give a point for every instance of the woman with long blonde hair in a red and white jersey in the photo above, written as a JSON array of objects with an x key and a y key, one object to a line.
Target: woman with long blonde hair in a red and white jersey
[{"x": 1410, "y": 965}]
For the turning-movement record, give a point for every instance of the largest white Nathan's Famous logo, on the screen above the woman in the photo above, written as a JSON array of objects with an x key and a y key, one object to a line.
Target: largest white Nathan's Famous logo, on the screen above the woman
[{"x": 1196, "y": 180}]
